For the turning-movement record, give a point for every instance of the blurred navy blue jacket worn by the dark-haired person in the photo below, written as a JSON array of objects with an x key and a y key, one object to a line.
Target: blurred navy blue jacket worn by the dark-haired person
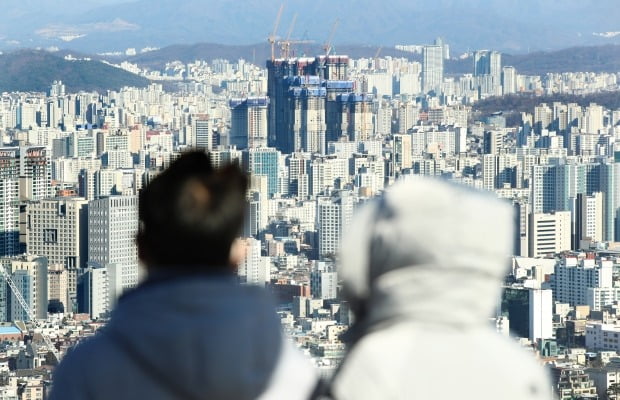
[{"x": 198, "y": 337}]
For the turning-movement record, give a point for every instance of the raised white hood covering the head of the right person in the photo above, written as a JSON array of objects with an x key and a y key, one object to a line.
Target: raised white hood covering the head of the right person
[{"x": 427, "y": 250}]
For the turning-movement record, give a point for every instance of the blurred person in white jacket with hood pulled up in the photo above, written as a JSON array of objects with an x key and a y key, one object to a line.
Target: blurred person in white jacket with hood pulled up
[{"x": 422, "y": 267}]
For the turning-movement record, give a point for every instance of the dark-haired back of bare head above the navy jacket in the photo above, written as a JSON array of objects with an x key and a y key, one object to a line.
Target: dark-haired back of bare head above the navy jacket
[{"x": 191, "y": 213}]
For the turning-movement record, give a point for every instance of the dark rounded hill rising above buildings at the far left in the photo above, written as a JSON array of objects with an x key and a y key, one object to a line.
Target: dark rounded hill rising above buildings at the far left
[{"x": 34, "y": 71}]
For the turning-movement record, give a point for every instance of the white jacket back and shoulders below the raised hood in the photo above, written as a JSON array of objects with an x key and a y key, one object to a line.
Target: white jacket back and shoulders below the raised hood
[{"x": 380, "y": 364}]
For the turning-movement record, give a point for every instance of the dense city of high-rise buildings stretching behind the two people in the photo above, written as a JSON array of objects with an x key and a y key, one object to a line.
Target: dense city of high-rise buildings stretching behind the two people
[{"x": 320, "y": 135}]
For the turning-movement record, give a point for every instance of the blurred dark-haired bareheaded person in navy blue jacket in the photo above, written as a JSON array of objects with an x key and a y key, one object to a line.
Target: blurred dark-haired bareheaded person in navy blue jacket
[{"x": 190, "y": 330}]
